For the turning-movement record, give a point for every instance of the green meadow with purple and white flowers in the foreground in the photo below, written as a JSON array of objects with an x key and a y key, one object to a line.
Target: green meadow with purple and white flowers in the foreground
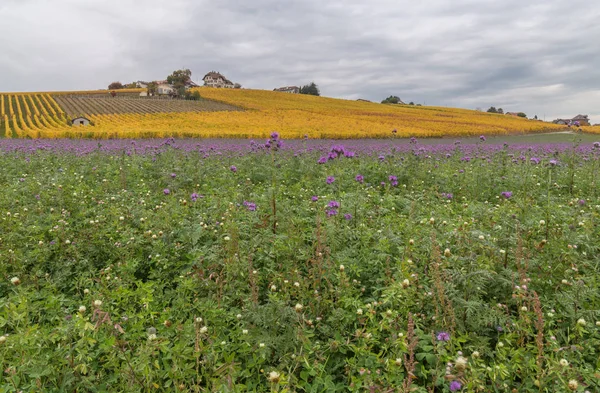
[{"x": 299, "y": 266}]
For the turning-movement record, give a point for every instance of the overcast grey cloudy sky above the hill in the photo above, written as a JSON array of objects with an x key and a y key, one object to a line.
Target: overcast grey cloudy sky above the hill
[{"x": 541, "y": 57}]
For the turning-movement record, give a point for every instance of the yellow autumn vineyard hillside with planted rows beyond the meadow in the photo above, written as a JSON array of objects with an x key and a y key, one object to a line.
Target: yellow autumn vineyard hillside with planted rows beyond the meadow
[{"x": 46, "y": 115}]
